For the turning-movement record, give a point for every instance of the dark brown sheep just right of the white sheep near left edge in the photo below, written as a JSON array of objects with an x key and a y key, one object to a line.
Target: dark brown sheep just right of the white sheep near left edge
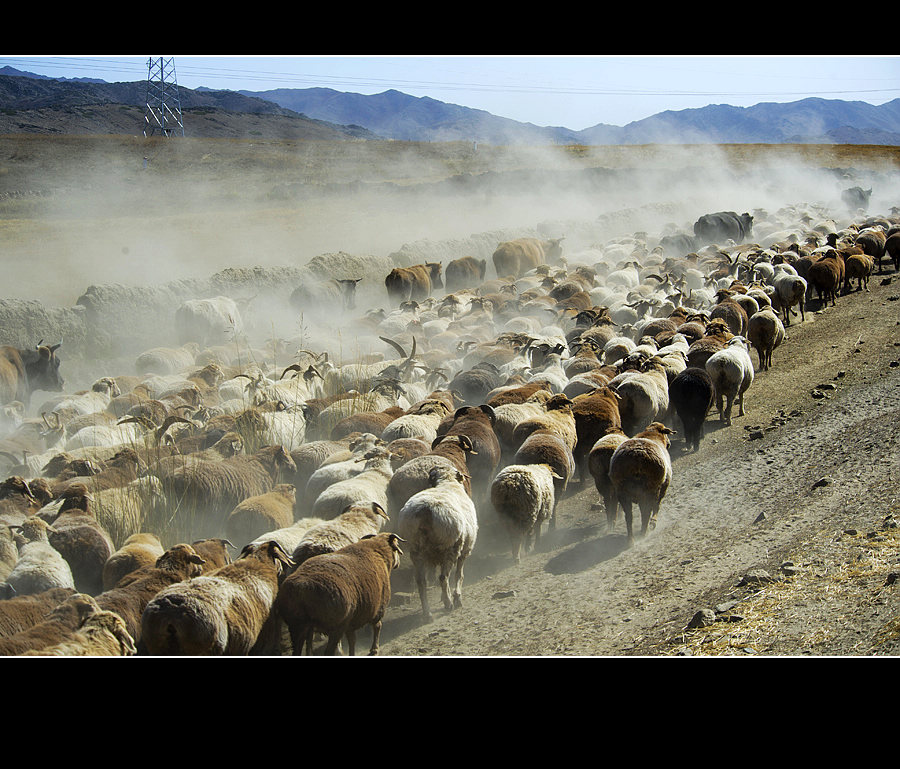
[{"x": 81, "y": 540}]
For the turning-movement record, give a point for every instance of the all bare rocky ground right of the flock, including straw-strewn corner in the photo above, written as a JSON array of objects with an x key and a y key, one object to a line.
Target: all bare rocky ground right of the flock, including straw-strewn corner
[{"x": 778, "y": 537}]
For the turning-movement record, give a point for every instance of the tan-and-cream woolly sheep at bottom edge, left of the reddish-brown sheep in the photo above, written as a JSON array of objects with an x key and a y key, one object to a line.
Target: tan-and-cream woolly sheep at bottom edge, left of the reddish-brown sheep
[{"x": 227, "y": 612}]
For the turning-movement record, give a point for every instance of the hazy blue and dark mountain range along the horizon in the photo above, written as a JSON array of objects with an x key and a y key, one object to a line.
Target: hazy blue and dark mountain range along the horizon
[{"x": 39, "y": 104}]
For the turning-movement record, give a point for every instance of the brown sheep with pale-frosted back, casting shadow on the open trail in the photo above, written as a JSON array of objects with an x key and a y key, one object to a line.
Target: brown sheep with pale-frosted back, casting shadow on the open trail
[{"x": 640, "y": 470}]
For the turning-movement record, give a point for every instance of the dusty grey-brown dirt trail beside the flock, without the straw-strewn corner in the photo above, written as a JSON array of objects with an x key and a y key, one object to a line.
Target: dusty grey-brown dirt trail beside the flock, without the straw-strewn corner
[{"x": 583, "y": 593}]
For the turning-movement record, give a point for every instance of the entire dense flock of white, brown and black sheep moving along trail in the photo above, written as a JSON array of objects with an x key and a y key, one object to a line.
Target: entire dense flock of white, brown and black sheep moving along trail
[{"x": 202, "y": 505}]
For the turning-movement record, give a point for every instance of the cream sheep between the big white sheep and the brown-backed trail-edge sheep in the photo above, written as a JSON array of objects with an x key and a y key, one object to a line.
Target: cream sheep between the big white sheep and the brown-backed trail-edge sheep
[{"x": 523, "y": 497}]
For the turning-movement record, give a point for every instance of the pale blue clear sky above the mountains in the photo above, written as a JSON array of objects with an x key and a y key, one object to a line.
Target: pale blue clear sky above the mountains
[{"x": 575, "y": 92}]
